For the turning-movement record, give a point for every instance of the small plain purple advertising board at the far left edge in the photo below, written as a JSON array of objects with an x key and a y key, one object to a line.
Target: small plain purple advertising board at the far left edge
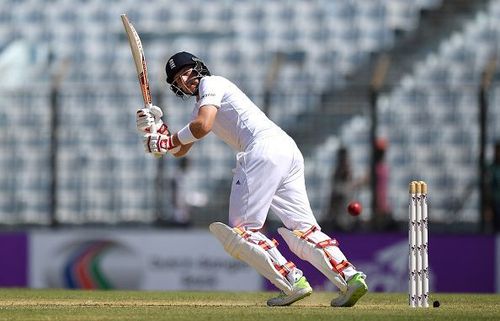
[{"x": 14, "y": 259}]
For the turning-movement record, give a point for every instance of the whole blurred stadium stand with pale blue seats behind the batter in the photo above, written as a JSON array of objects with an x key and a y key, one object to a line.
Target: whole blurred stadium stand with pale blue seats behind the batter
[{"x": 419, "y": 74}]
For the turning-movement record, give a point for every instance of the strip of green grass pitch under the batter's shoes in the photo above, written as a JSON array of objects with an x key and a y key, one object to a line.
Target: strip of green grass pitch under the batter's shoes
[{"x": 75, "y": 305}]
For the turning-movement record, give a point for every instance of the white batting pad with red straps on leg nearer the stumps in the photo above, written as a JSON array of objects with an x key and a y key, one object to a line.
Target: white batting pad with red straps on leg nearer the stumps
[{"x": 316, "y": 256}]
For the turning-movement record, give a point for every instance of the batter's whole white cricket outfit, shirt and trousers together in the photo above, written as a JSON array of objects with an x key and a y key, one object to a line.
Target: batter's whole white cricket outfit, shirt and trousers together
[{"x": 269, "y": 172}]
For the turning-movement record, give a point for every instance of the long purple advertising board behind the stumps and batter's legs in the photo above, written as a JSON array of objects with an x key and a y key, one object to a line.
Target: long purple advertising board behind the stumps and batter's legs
[{"x": 457, "y": 263}]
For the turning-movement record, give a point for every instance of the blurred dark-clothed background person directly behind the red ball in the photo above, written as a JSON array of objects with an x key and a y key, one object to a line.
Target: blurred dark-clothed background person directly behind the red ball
[{"x": 341, "y": 193}]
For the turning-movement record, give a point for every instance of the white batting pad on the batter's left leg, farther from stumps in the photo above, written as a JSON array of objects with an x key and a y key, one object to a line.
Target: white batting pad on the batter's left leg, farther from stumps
[{"x": 250, "y": 253}]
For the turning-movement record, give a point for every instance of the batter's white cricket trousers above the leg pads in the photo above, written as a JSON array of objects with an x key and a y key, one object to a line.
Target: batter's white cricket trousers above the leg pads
[{"x": 270, "y": 175}]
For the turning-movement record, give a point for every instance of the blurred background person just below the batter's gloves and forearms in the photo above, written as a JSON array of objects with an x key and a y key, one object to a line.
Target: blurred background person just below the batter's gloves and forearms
[{"x": 181, "y": 215}]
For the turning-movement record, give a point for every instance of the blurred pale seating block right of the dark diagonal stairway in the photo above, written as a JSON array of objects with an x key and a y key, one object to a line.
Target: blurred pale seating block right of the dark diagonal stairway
[{"x": 430, "y": 121}]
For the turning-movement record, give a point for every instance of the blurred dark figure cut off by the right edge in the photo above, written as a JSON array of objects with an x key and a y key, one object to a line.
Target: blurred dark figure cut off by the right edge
[{"x": 493, "y": 191}]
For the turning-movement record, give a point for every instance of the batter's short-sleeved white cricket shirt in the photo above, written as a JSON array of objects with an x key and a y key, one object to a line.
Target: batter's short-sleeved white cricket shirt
[{"x": 238, "y": 121}]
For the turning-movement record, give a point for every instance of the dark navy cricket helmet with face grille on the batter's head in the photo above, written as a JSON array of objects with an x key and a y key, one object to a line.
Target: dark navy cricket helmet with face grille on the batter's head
[{"x": 179, "y": 61}]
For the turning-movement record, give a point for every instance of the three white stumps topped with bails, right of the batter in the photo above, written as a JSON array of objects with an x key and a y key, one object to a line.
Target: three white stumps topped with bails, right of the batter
[{"x": 418, "y": 246}]
